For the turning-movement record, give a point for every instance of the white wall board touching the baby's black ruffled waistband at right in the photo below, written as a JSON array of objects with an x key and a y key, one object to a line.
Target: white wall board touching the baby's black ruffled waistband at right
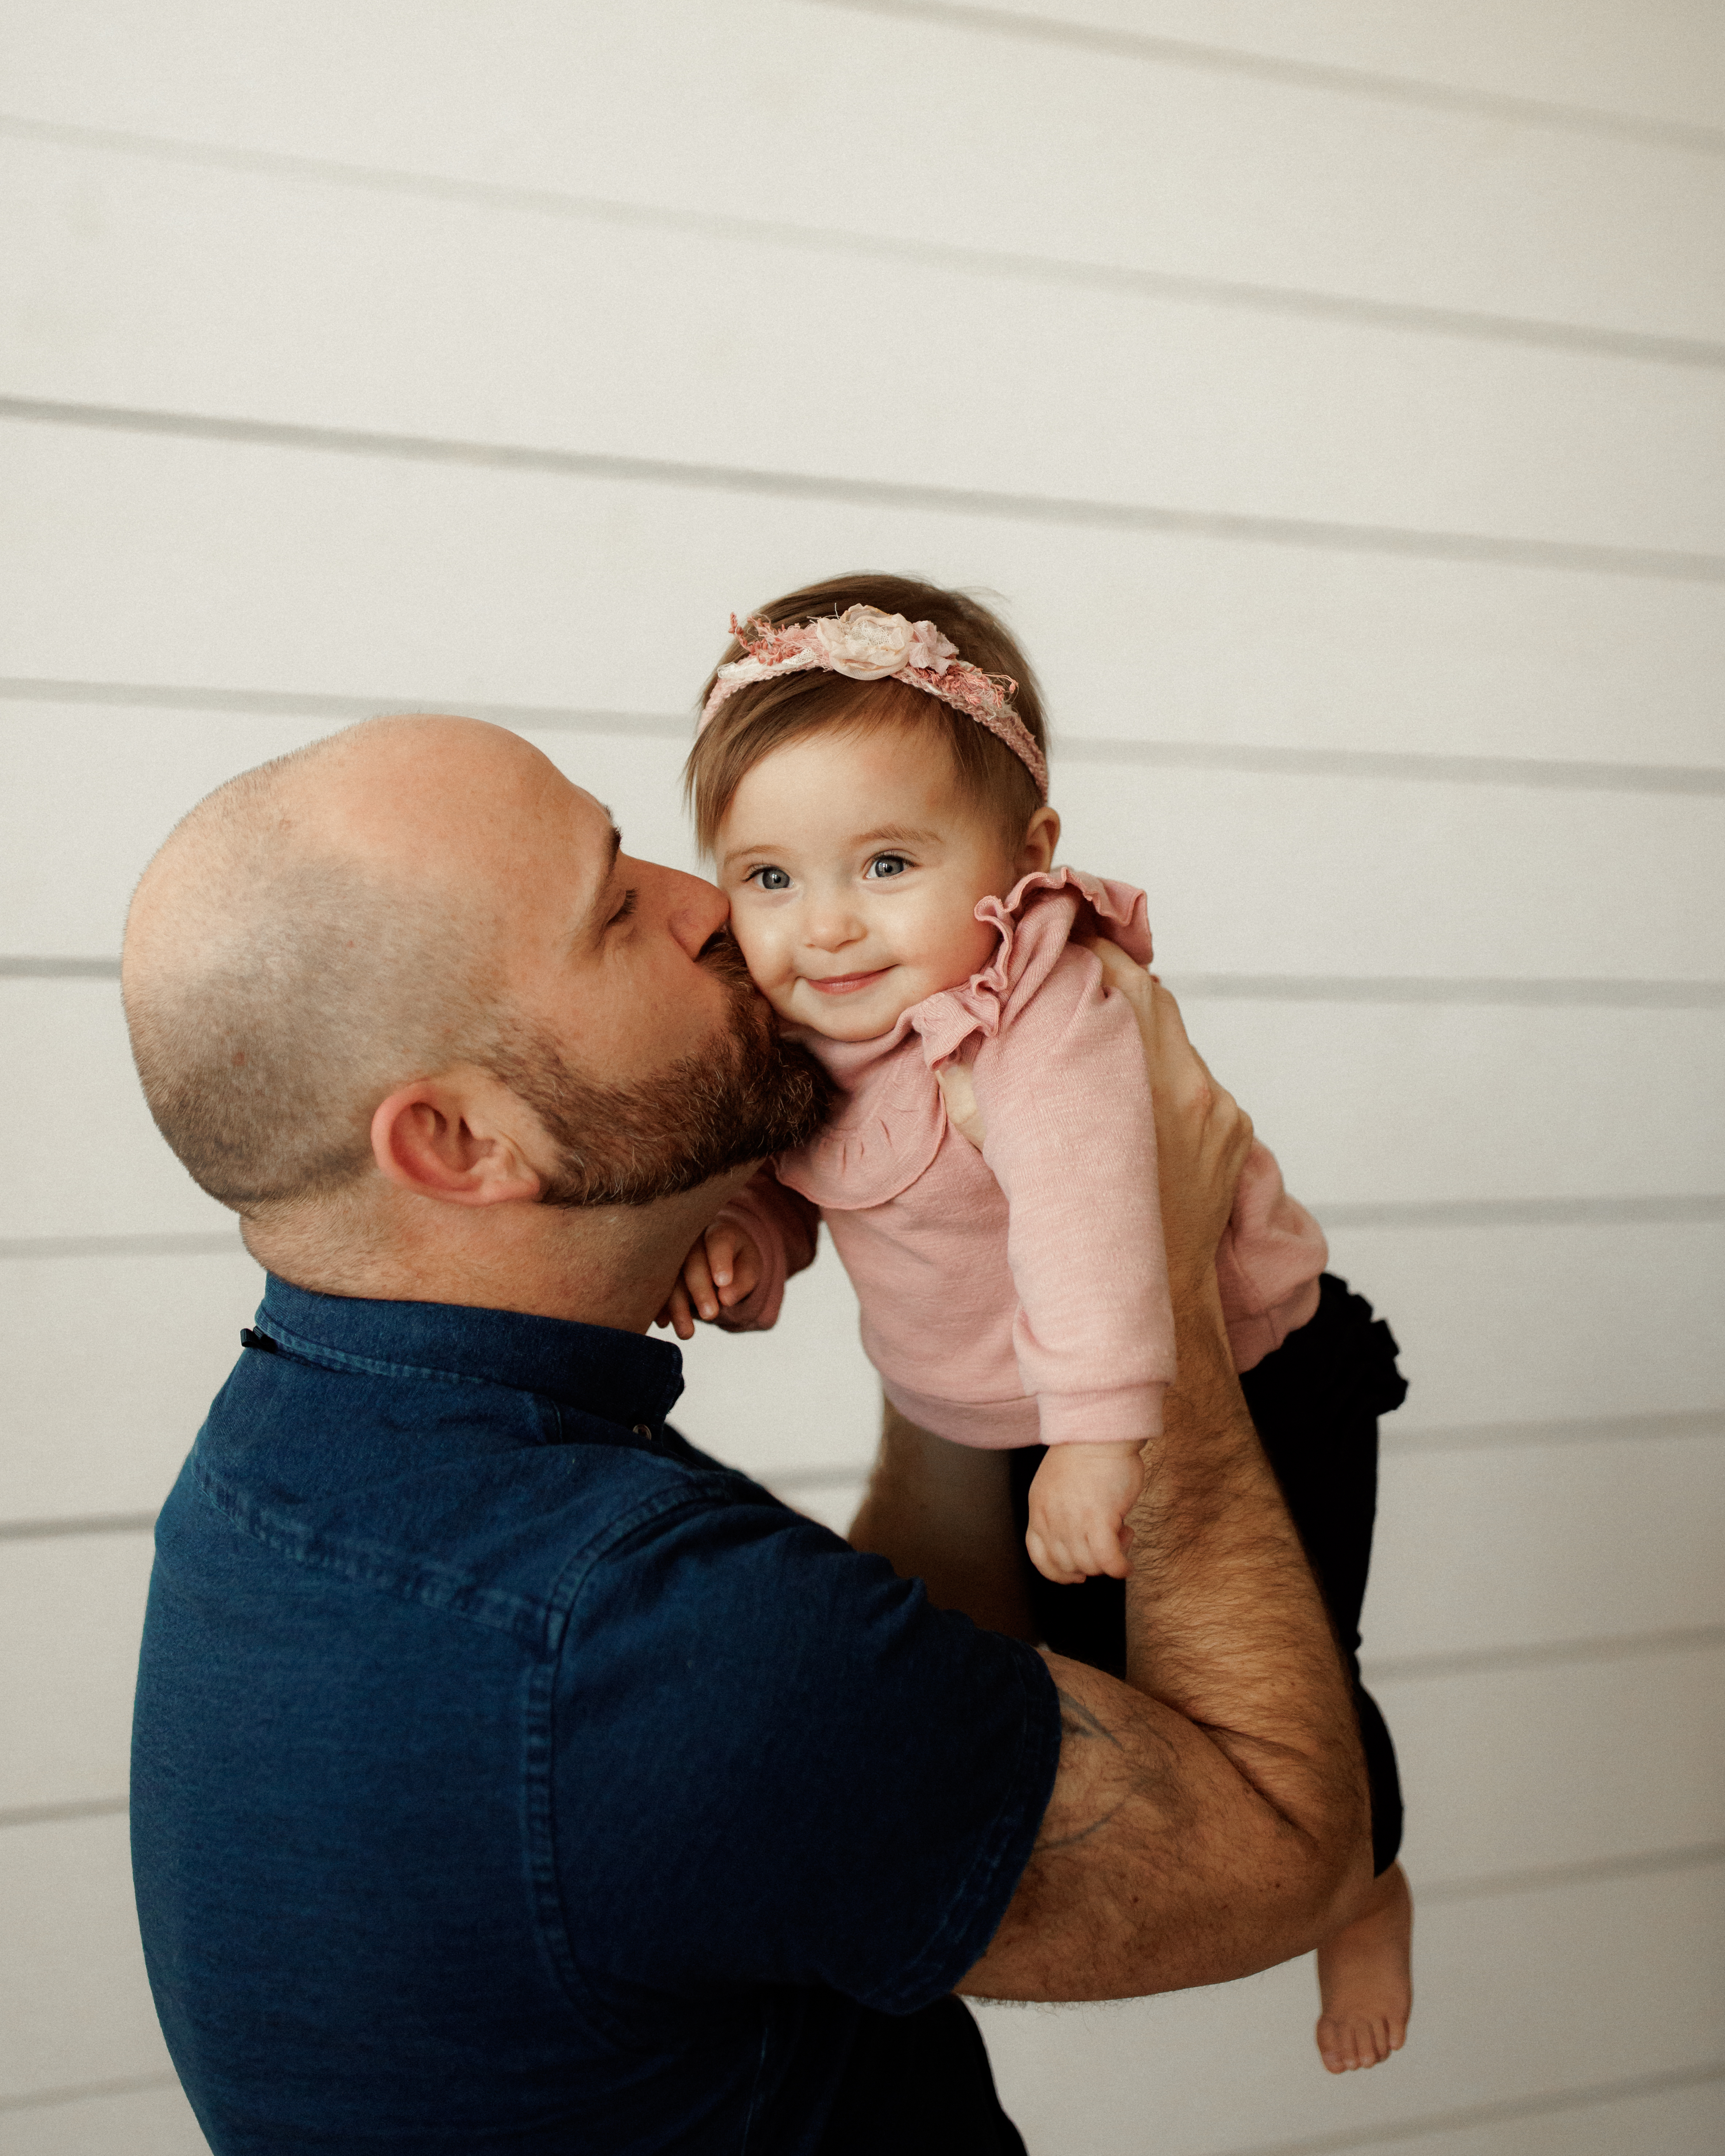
[{"x": 1526, "y": 1325}]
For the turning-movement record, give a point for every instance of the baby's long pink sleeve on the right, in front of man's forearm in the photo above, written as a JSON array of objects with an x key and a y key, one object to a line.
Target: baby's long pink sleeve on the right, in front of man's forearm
[{"x": 1073, "y": 1144}]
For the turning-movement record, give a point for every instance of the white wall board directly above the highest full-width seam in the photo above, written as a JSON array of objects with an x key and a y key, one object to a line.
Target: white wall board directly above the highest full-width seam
[{"x": 801, "y": 115}]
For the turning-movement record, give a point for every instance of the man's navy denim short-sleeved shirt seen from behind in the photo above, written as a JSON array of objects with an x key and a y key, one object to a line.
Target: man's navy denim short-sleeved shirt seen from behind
[{"x": 512, "y": 1775}]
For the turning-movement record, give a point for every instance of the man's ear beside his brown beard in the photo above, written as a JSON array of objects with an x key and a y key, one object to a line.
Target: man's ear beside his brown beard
[{"x": 460, "y": 1137}]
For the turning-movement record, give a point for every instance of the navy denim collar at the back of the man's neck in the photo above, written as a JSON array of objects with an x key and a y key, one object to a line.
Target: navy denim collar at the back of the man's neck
[{"x": 618, "y": 1377}]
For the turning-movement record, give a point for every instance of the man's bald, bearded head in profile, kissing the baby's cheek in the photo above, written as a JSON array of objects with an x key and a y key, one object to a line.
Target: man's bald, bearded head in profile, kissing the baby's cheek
[{"x": 426, "y": 896}]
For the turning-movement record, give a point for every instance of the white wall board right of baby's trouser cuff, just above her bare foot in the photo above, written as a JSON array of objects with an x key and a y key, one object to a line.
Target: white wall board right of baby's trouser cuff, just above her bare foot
[{"x": 1558, "y": 1765}]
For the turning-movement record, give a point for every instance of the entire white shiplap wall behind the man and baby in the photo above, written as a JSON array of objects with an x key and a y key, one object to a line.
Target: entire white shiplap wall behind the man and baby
[{"x": 1334, "y": 396}]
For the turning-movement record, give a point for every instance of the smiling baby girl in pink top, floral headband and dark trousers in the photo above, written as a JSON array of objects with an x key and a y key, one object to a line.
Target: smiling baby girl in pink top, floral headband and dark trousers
[{"x": 870, "y": 777}]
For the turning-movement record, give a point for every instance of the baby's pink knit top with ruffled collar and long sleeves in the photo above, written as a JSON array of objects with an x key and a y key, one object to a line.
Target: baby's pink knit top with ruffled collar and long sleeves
[{"x": 1019, "y": 1293}]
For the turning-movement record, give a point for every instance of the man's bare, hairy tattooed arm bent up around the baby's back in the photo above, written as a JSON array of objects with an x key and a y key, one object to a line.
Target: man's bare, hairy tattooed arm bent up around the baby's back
[{"x": 1211, "y": 1814}]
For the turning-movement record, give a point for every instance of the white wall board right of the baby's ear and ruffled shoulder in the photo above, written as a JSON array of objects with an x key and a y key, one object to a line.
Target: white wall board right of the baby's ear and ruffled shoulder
[{"x": 1357, "y": 876}]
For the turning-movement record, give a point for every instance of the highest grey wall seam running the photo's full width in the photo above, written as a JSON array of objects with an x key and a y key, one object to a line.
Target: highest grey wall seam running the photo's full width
[{"x": 1004, "y": 264}]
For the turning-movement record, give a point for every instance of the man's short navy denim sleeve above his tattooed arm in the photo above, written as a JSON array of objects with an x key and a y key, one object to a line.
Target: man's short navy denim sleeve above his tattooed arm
[{"x": 779, "y": 1765}]
